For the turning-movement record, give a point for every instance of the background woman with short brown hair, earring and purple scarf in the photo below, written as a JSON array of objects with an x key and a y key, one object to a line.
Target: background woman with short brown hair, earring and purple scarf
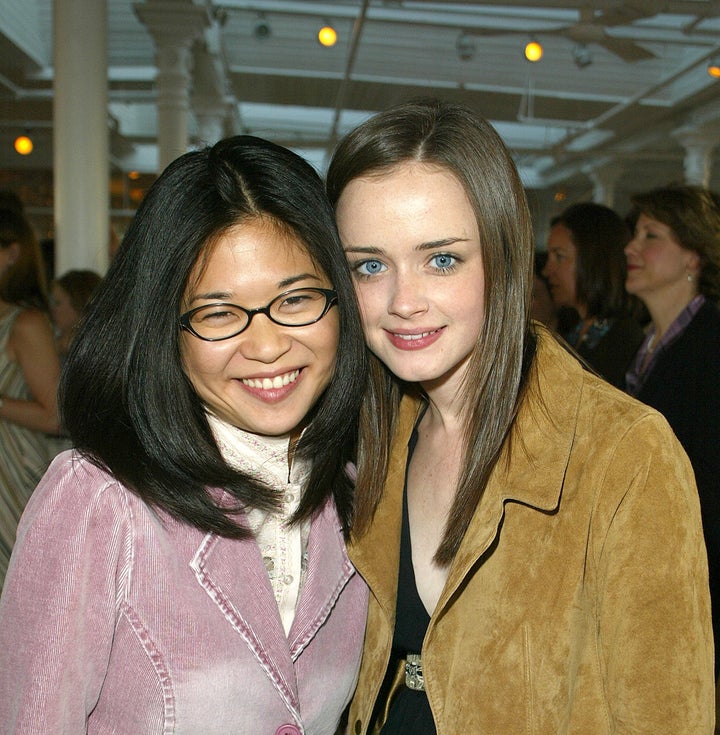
[{"x": 673, "y": 264}]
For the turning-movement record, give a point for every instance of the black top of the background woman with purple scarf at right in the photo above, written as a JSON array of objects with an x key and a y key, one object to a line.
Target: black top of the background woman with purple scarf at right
[{"x": 684, "y": 385}]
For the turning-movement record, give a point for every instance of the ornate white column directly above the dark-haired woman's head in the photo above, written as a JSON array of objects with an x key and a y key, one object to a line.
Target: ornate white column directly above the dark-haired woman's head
[{"x": 174, "y": 26}]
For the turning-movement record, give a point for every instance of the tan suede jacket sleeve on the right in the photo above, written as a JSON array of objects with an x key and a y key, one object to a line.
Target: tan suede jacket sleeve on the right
[{"x": 653, "y": 608}]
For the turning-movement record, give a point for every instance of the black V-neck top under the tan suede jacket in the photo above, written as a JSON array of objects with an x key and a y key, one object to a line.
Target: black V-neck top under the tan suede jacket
[{"x": 410, "y": 712}]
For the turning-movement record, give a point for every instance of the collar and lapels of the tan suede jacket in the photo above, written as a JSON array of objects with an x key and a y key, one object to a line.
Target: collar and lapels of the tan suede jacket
[{"x": 530, "y": 470}]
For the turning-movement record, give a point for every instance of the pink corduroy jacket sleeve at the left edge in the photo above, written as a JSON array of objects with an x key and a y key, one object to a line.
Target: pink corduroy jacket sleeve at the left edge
[{"x": 58, "y": 606}]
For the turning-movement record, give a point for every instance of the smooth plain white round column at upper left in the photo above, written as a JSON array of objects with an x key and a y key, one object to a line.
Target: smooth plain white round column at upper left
[{"x": 81, "y": 137}]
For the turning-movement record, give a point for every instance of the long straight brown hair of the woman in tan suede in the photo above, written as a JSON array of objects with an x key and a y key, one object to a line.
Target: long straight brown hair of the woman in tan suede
[{"x": 454, "y": 137}]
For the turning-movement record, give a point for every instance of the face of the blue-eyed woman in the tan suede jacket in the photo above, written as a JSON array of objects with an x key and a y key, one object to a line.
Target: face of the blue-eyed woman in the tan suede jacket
[{"x": 412, "y": 243}]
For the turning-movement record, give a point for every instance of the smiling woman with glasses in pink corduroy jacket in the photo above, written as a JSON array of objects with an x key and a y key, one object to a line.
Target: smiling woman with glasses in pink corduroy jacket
[{"x": 184, "y": 569}]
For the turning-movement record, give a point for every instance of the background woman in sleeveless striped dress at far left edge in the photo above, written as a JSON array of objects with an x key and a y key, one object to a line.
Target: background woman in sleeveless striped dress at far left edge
[{"x": 29, "y": 372}]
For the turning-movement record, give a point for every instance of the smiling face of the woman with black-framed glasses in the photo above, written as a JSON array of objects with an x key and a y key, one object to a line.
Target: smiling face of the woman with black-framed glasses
[{"x": 266, "y": 379}]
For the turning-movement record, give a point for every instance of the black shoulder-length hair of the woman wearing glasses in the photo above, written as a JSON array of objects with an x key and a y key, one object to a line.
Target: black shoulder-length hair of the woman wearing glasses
[{"x": 125, "y": 399}]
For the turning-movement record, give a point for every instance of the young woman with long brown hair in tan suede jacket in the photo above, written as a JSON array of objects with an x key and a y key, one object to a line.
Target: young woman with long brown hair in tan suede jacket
[{"x": 531, "y": 536}]
